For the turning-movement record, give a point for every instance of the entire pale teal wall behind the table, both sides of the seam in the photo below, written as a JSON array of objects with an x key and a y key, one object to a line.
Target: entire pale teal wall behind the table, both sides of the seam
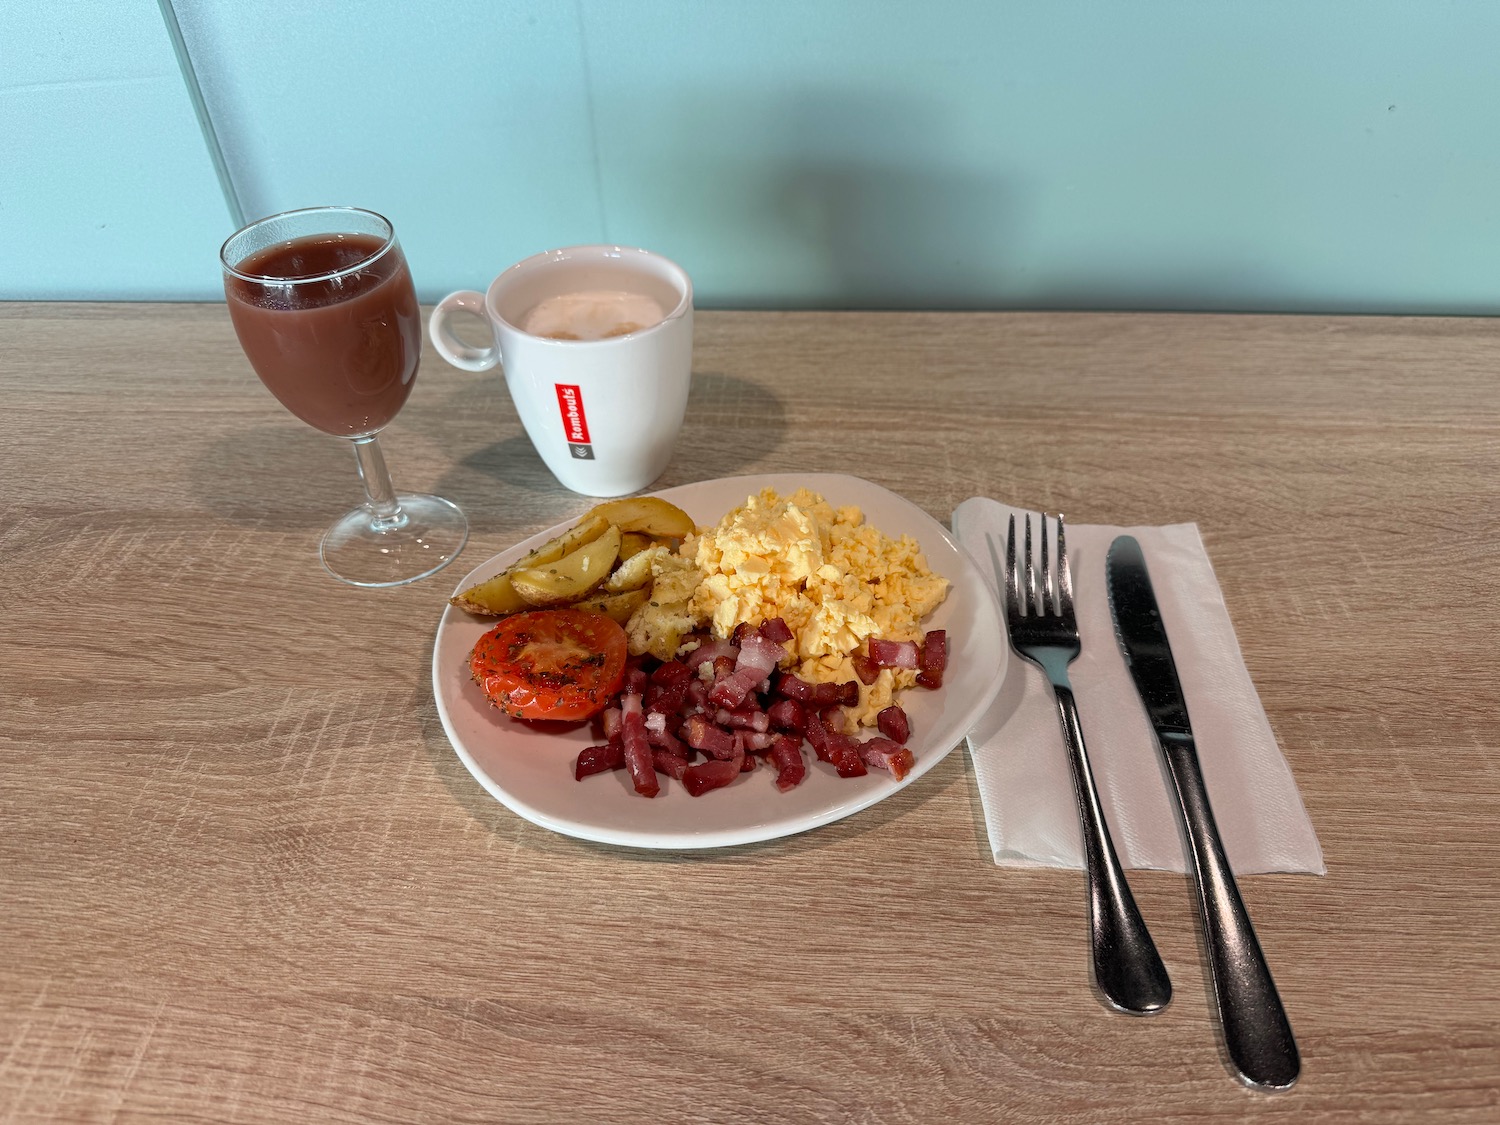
[{"x": 1262, "y": 155}]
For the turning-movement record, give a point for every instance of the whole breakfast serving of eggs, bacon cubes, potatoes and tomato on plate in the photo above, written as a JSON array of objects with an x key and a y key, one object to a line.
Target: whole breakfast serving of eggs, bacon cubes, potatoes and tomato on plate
[{"x": 706, "y": 652}]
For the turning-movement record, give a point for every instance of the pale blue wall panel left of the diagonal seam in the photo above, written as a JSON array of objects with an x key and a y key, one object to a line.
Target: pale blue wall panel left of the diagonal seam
[{"x": 106, "y": 190}]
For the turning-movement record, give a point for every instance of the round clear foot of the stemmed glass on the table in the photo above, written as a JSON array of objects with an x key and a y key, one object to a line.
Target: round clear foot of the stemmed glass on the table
[{"x": 425, "y": 538}]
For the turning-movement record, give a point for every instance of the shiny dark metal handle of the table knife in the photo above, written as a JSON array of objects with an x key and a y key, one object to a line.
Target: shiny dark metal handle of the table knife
[{"x": 1256, "y": 1030}]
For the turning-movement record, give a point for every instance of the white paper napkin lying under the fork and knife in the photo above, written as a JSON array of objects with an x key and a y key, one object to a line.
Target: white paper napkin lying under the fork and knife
[{"x": 1018, "y": 749}]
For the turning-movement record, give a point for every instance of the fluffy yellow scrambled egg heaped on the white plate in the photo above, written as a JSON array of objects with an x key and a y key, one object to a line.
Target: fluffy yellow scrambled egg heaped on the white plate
[{"x": 832, "y": 577}]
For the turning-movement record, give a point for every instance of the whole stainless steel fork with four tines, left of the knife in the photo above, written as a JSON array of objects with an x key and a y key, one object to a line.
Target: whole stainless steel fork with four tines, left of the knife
[{"x": 1045, "y": 631}]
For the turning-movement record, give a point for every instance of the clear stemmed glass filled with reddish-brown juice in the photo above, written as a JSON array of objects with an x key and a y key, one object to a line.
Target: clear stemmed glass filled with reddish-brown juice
[{"x": 323, "y": 304}]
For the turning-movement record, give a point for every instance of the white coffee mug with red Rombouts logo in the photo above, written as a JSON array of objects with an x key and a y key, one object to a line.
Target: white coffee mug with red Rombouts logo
[{"x": 602, "y": 413}]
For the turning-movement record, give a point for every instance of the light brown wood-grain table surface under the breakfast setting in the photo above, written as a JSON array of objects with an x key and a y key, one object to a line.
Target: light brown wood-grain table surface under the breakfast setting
[{"x": 244, "y": 877}]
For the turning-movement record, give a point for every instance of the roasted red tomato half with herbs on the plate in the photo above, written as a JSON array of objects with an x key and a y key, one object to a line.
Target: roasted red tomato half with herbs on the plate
[{"x": 560, "y": 665}]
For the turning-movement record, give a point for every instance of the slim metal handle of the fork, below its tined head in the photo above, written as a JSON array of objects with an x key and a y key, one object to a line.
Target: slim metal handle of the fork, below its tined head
[{"x": 1126, "y": 962}]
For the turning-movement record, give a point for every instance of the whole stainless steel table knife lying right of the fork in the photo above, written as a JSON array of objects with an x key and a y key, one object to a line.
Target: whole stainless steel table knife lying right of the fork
[{"x": 1256, "y": 1030}]
